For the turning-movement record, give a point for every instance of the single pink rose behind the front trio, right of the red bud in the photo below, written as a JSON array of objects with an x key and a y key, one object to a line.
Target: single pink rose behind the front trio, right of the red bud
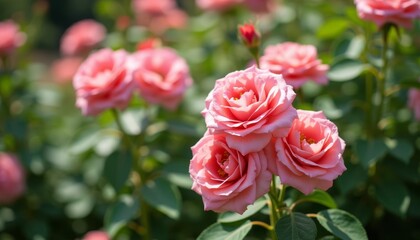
[{"x": 297, "y": 63}]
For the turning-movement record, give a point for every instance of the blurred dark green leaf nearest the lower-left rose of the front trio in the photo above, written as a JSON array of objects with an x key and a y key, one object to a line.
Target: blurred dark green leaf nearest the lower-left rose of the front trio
[{"x": 163, "y": 196}]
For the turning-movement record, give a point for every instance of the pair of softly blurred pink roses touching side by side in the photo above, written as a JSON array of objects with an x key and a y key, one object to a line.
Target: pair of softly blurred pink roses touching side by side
[{"x": 107, "y": 79}]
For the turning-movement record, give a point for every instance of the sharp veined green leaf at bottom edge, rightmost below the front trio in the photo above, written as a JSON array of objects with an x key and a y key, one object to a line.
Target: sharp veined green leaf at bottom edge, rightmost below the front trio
[{"x": 342, "y": 224}]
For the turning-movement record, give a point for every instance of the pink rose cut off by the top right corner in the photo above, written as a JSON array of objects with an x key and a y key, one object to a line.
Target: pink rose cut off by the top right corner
[{"x": 399, "y": 12}]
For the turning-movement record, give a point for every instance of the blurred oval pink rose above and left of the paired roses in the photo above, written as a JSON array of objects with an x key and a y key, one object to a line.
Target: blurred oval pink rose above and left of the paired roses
[{"x": 82, "y": 37}]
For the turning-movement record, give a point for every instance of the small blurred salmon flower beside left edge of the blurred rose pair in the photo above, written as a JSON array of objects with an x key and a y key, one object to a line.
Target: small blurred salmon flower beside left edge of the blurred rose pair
[{"x": 63, "y": 70}]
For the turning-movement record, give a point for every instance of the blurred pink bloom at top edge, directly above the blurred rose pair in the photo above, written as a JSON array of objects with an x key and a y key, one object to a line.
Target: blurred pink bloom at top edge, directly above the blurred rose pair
[{"x": 160, "y": 15}]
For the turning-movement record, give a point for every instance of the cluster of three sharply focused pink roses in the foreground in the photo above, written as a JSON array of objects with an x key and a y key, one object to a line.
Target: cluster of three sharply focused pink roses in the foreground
[{"x": 254, "y": 132}]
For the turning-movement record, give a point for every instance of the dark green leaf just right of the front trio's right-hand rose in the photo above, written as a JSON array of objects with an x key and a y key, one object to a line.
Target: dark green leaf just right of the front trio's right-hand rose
[{"x": 370, "y": 151}]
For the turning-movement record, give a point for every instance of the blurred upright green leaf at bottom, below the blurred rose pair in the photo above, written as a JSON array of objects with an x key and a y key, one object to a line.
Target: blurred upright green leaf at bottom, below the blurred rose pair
[{"x": 120, "y": 213}]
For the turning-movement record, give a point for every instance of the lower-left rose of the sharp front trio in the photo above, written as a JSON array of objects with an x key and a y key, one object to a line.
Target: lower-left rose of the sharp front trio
[{"x": 226, "y": 179}]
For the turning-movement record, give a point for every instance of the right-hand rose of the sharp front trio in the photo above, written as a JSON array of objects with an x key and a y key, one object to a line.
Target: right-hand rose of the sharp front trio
[{"x": 310, "y": 156}]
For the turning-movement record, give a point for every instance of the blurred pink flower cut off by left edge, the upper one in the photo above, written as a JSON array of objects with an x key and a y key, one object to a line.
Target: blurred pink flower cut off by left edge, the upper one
[{"x": 10, "y": 37}]
